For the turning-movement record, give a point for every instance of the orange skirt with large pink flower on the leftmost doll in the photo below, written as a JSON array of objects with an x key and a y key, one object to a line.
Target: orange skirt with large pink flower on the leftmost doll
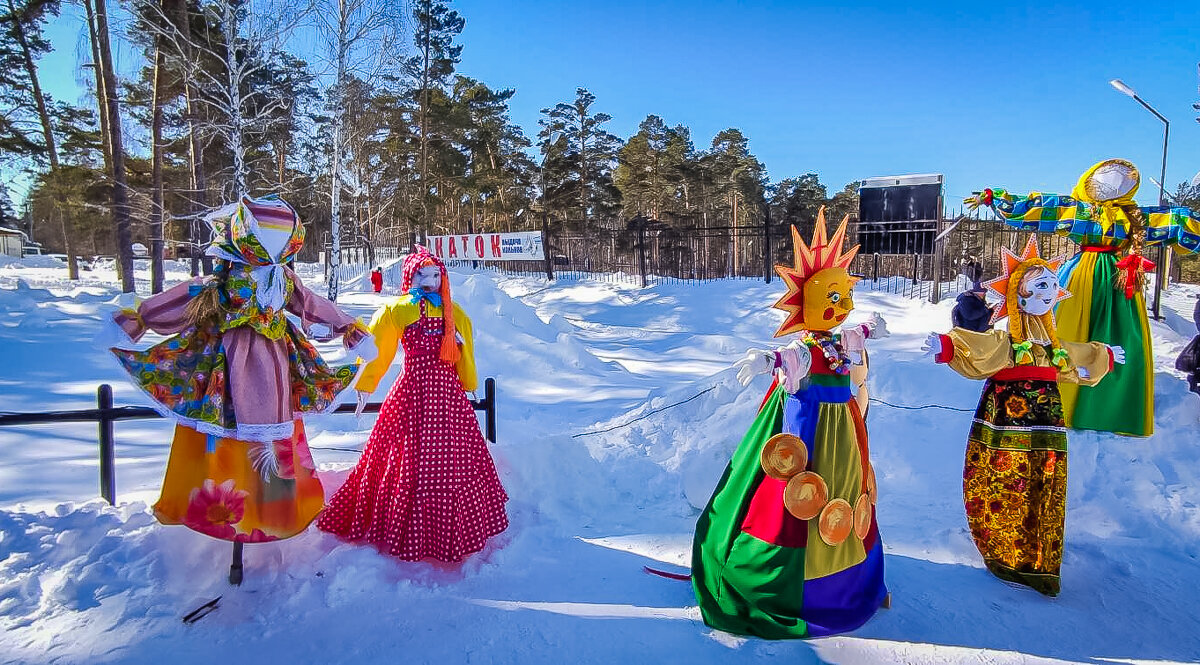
[{"x": 220, "y": 487}]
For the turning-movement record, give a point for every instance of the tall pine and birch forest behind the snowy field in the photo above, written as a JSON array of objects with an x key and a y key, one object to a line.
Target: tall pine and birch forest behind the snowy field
[{"x": 356, "y": 112}]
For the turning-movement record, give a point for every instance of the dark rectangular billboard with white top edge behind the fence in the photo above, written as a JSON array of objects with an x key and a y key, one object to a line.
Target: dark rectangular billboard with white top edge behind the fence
[{"x": 899, "y": 214}]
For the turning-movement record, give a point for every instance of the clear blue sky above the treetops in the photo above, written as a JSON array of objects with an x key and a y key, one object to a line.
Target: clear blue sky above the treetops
[{"x": 987, "y": 94}]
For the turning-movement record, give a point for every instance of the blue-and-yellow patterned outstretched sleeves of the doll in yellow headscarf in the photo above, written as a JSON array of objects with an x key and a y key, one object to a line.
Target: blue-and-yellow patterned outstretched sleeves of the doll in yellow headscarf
[{"x": 1084, "y": 225}]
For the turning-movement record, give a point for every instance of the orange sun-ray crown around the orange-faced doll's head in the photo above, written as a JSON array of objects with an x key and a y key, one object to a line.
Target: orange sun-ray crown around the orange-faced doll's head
[{"x": 811, "y": 259}]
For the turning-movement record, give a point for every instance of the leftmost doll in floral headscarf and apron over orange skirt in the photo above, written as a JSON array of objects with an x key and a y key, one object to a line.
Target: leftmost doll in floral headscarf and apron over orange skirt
[{"x": 237, "y": 376}]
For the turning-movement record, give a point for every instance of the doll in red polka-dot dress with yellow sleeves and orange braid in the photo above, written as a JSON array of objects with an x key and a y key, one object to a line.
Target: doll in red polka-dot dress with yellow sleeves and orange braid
[{"x": 427, "y": 486}]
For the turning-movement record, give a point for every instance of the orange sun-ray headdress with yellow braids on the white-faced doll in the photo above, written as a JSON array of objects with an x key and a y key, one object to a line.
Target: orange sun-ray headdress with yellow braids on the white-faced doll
[{"x": 1009, "y": 287}]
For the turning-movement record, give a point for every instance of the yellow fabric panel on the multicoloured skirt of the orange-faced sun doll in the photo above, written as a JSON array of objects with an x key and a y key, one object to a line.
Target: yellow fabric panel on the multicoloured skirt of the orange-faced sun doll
[{"x": 837, "y": 459}]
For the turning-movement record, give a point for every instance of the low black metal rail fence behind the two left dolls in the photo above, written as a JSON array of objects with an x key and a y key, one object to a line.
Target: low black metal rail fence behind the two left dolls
[{"x": 106, "y": 415}]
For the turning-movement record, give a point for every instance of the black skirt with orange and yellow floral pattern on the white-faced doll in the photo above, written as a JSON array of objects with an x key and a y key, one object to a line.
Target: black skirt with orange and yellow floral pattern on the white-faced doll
[{"x": 1015, "y": 482}]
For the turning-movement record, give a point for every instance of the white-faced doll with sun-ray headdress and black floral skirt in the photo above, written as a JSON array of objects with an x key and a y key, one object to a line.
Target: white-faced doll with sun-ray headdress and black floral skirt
[{"x": 1015, "y": 480}]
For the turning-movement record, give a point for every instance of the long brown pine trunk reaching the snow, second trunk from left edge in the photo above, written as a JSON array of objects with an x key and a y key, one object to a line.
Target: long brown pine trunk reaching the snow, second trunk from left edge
[{"x": 121, "y": 193}]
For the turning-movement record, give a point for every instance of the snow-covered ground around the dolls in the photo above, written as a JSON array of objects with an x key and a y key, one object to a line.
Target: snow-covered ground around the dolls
[{"x": 617, "y": 415}]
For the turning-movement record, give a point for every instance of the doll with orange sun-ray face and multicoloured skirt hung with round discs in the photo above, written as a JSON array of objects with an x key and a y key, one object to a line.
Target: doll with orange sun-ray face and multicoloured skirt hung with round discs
[{"x": 789, "y": 544}]
